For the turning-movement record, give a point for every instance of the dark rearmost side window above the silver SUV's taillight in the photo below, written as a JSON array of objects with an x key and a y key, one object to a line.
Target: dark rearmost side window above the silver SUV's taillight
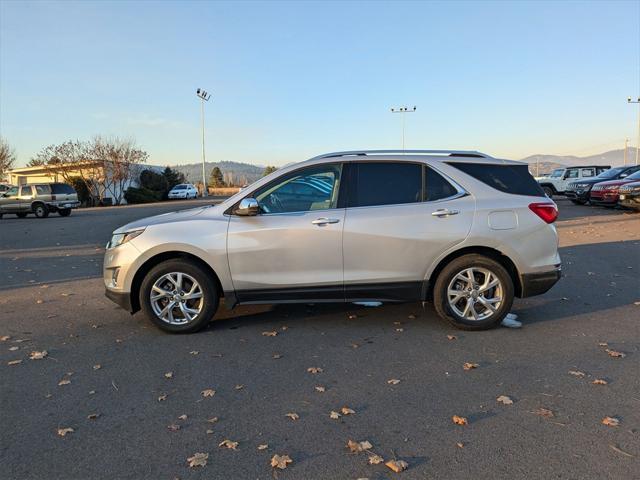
[{"x": 514, "y": 179}]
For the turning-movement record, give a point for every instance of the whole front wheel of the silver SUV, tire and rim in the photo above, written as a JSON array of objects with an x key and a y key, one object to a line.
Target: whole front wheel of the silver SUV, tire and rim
[{"x": 179, "y": 296}]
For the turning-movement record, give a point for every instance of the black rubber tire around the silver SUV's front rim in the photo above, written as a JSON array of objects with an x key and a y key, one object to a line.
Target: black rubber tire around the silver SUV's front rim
[{"x": 210, "y": 297}]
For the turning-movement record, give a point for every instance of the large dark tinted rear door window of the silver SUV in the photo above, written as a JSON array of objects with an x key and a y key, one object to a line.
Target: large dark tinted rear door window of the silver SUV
[{"x": 381, "y": 183}]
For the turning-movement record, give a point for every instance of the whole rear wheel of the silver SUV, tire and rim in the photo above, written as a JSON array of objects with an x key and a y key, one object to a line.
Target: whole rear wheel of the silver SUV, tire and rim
[{"x": 473, "y": 292}]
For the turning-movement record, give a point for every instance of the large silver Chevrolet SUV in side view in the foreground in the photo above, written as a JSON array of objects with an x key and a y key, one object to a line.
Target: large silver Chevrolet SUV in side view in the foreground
[{"x": 463, "y": 229}]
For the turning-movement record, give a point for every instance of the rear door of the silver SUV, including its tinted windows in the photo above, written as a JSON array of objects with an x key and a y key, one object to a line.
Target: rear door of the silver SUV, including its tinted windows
[{"x": 400, "y": 217}]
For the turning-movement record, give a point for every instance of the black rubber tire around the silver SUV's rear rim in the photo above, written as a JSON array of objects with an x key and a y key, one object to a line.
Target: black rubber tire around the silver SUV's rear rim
[{"x": 446, "y": 276}]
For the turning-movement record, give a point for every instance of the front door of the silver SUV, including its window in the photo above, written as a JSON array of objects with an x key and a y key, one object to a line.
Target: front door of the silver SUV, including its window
[{"x": 291, "y": 250}]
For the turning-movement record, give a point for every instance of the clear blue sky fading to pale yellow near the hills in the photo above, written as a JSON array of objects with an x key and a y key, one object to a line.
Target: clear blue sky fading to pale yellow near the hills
[{"x": 290, "y": 80}]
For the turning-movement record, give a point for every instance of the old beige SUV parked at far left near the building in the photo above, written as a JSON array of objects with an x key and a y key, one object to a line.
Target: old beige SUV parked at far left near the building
[{"x": 39, "y": 199}]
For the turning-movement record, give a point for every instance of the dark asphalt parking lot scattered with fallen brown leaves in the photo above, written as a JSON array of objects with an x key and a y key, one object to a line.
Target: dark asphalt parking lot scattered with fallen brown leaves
[{"x": 134, "y": 395}]
